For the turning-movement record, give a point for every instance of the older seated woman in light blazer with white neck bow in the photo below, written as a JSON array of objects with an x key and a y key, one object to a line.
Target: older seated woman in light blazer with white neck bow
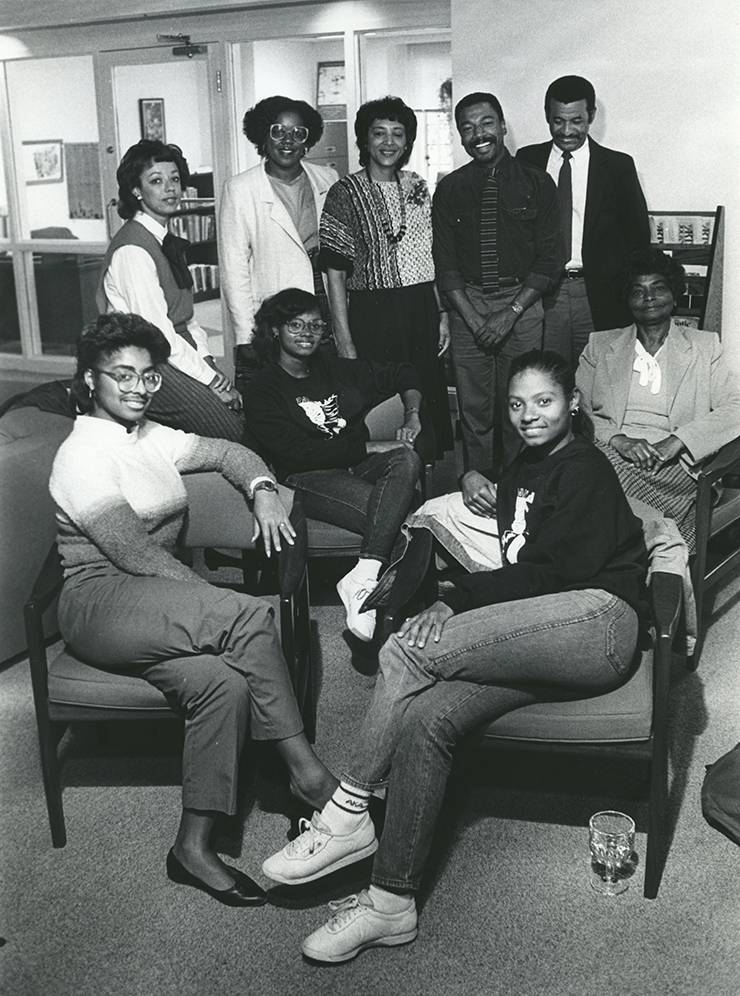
[{"x": 661, "y": 397}]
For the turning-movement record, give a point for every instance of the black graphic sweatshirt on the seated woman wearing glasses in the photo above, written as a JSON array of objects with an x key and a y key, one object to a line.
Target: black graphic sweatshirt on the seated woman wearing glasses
[{"x": 317, "y": 422}]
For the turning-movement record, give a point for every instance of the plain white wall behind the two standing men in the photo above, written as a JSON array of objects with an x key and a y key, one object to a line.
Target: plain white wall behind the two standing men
[{"x": 667, "y": 79}]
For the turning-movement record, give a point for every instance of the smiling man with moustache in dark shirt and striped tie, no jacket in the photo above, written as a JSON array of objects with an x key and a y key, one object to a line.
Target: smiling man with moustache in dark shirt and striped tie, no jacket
[{"x": 497, "y": 249}]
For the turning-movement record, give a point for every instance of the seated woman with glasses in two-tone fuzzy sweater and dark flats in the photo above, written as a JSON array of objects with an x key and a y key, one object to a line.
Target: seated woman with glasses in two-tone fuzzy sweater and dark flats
[{"x": 129, "y": 605}]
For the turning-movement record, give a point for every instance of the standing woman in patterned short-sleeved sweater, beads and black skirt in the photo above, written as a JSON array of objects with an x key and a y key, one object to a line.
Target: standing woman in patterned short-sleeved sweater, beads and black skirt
[{"x": 376, "y": 246}]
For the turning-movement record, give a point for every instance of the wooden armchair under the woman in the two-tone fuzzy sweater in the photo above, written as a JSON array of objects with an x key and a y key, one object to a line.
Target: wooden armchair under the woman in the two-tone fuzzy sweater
[{"x": 66, "y": 690}]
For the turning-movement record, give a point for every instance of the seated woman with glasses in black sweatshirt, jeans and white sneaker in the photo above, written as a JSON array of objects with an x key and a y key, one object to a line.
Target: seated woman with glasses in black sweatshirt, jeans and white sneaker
[{"x": 306, "y": 411}]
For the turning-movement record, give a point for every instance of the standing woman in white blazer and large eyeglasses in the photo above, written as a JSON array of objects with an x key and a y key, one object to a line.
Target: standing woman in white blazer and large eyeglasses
[{"x": 269, "y": 218}]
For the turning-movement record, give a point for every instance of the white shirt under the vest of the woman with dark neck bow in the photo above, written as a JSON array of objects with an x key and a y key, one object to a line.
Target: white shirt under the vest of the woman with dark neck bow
[{"x": 131, "y": 285}]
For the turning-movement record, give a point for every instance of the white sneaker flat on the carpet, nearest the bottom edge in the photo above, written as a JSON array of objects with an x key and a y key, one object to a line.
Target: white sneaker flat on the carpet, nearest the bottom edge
[{"x": 355, "y": 925}]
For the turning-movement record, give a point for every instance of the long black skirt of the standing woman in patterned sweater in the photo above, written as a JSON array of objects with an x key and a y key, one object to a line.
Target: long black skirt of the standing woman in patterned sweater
[{"x": 402, "y": 326}]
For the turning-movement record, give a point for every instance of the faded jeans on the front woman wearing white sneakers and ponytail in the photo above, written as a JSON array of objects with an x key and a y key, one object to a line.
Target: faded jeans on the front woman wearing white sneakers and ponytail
[{"x": 489, "y": 661}]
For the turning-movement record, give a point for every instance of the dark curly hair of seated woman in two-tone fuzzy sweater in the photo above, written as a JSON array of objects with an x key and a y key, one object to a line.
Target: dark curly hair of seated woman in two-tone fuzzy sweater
[{"x": 109, "y": 334}]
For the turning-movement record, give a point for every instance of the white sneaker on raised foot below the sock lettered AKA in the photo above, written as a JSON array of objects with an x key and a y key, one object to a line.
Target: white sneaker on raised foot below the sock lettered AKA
[{"x": 318, "y": 851}]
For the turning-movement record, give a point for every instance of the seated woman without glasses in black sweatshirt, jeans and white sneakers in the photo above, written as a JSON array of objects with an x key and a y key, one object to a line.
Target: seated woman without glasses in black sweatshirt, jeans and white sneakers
[{"x": 558, "y": 619}]
